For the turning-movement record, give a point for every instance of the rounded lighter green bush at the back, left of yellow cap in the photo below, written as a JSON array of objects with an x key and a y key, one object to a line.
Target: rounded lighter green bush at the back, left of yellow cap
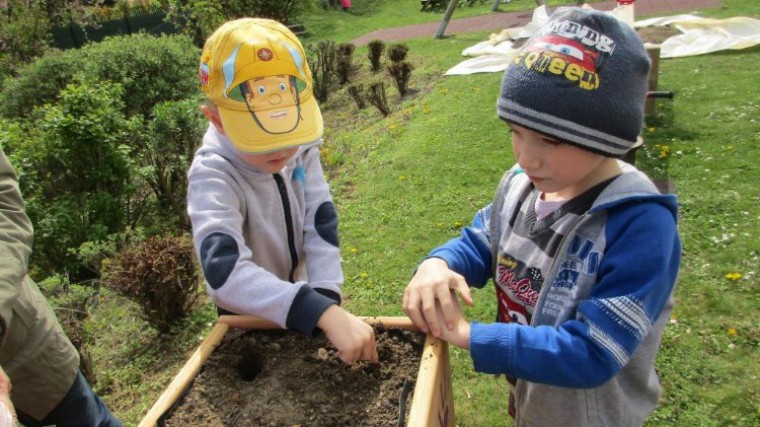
[{"x": 149, "y": 69}]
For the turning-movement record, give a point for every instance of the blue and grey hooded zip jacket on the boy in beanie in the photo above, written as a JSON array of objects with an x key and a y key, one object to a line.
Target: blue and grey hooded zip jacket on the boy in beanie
[{"x": 584, "y": 296}]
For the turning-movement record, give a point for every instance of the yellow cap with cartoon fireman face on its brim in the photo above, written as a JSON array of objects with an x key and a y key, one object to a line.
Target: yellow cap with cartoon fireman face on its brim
[{"x": 256, "y": 73}]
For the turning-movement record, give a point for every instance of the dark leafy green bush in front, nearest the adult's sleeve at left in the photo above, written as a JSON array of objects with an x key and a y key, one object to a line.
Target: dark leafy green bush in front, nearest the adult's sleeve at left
[{"x": 76, "y": 174}]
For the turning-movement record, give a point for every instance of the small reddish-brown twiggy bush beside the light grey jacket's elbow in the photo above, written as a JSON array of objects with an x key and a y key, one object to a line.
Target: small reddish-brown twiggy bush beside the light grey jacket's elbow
[{"x": 160, "y": 274}]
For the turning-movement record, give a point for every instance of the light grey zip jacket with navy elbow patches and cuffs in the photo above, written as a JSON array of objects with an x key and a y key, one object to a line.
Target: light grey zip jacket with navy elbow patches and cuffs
[{"x": 267, "y": 243}]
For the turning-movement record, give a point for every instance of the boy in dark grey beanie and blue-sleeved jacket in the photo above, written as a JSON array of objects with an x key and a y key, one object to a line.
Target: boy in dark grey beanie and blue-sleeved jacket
[{"x": 582, "y": 248}]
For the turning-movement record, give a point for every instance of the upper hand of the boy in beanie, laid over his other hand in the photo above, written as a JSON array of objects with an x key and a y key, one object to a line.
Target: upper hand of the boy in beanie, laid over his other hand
[{"x": 431, "y": 286}]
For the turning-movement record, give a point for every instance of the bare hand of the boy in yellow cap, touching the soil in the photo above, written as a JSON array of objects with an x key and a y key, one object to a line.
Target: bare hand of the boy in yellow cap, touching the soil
[{"x": 352, "y": 337}]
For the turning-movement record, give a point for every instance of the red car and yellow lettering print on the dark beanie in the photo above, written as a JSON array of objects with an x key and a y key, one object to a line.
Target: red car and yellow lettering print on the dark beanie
[{"x": 569, "y": 50}]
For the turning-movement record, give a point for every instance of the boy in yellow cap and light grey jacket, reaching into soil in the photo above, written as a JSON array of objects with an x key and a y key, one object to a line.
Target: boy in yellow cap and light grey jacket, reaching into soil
[{"x": 264, "y": 224}]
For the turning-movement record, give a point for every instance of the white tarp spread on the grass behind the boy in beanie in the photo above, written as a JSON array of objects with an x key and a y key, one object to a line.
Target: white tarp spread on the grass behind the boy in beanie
[{"x": 698, "y": 36}]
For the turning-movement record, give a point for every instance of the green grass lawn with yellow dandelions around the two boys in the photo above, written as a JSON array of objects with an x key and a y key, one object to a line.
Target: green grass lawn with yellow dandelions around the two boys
[{"x": 407, "y": 182}]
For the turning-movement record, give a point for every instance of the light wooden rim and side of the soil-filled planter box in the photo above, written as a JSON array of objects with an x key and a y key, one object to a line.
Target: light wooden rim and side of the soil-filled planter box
[{"x": 432, "y": 402}]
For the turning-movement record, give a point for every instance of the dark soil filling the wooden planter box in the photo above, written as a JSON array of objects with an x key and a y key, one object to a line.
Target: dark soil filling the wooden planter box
[{"x": 281, "y": 378}]
